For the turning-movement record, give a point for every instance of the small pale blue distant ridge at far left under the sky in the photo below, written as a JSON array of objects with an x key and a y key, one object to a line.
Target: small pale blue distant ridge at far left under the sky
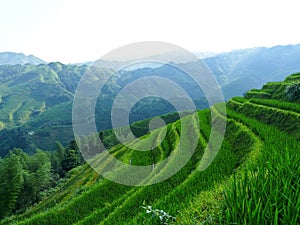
[{"x": 12, "y": 58}]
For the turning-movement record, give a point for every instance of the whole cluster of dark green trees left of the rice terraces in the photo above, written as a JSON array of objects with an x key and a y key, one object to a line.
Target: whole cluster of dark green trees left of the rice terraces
[{"x": 24, "y": 178}]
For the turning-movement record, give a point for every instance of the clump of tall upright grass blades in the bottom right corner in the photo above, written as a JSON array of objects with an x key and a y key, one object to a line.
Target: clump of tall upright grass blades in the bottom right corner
[{"x": 266, "y": 194}]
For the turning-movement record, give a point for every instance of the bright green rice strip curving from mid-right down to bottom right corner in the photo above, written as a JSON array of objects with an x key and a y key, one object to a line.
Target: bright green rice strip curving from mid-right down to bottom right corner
[{"x": 266, "y": 191}]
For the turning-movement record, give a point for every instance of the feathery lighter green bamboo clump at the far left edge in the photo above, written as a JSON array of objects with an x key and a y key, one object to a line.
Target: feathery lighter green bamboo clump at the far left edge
[{"x": 23, "y": 179}]
